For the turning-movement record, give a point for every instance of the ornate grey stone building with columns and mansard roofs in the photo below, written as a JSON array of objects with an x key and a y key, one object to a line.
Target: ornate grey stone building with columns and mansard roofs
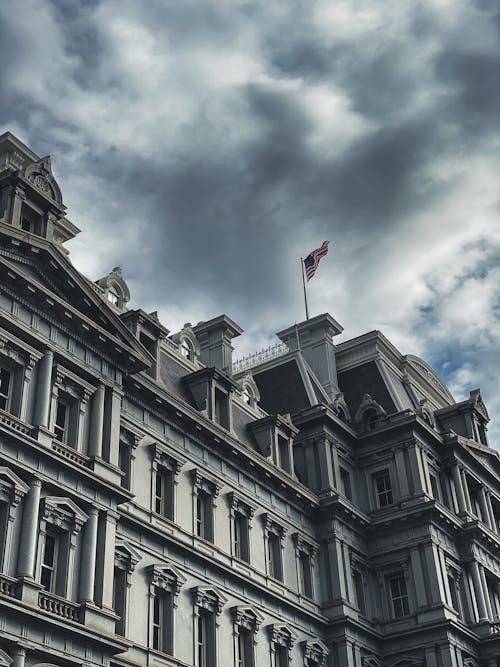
[{"x": 314, "y": 505}]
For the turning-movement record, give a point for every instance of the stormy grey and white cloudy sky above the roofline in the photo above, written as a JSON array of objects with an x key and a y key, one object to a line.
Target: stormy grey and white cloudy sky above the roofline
[{"x": 205, "y": 146}]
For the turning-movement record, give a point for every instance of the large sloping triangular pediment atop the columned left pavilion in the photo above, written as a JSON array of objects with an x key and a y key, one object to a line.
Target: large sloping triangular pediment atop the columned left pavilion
[{"x": 45, "y": 277}]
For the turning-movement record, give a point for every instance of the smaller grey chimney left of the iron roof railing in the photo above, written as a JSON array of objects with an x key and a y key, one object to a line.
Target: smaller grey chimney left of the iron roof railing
[{"x": 214, "y": 338}]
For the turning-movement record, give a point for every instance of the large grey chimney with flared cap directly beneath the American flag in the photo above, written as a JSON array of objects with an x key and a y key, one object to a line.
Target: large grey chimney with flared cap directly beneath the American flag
[{"x": 314, "y": 338}]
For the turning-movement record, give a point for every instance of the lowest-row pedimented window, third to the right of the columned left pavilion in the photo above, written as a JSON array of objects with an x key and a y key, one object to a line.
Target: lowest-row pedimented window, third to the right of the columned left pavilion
[{"x": 208, "y": 603}]
